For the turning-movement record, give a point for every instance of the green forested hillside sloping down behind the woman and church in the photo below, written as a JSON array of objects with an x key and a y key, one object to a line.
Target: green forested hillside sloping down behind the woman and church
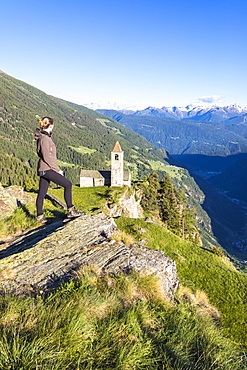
[{"x": 82, "y": 140}]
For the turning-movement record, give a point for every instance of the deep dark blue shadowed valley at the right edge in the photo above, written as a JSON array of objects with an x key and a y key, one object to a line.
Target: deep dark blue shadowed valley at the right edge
[{"x": 226, "y": 209}]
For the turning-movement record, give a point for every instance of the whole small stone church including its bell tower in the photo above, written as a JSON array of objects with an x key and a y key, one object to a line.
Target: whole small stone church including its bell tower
[{"x": 116, "y": 177}]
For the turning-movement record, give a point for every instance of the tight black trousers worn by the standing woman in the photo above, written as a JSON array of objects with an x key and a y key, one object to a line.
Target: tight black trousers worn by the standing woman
[{"x": 44, "y": 183}]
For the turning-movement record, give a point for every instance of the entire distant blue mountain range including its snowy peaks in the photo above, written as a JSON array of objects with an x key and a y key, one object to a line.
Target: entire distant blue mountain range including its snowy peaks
[{"x": 192, "y": 130}]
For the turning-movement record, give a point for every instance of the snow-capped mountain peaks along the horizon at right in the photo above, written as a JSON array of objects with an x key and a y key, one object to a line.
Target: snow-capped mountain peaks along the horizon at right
[{"x": 196, "y": 113}]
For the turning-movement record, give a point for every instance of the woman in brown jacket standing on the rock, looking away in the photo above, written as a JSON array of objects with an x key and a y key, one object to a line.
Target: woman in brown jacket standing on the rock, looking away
[{"x": 48, "y": 170}]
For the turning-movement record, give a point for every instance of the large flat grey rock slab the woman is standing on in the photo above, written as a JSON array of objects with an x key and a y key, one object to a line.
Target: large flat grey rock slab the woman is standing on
[{"x": 39, "y": 261}]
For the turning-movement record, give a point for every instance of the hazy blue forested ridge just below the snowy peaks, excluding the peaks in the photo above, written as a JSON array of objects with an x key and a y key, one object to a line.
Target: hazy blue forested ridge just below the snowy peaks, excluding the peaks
[{"x": 186, "y": 136}]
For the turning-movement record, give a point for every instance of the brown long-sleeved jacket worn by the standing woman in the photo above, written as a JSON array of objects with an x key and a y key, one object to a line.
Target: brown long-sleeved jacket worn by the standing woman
[{"x": 46, "y": 150}]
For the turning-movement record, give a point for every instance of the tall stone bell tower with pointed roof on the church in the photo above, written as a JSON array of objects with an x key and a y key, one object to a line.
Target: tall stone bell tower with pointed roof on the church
[{"x": 117, "y": 165}]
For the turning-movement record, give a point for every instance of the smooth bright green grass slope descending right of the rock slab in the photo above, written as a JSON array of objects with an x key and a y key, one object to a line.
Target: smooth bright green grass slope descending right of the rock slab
[{"x": 201, "y": 269}]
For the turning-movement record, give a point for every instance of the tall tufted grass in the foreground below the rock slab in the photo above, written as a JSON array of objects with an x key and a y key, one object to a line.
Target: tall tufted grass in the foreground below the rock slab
[{"x": 108, "y": 322}]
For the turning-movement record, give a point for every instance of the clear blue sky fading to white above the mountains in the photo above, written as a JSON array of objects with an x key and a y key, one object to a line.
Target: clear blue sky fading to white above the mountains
[{"x": 134, "y": 52}]
